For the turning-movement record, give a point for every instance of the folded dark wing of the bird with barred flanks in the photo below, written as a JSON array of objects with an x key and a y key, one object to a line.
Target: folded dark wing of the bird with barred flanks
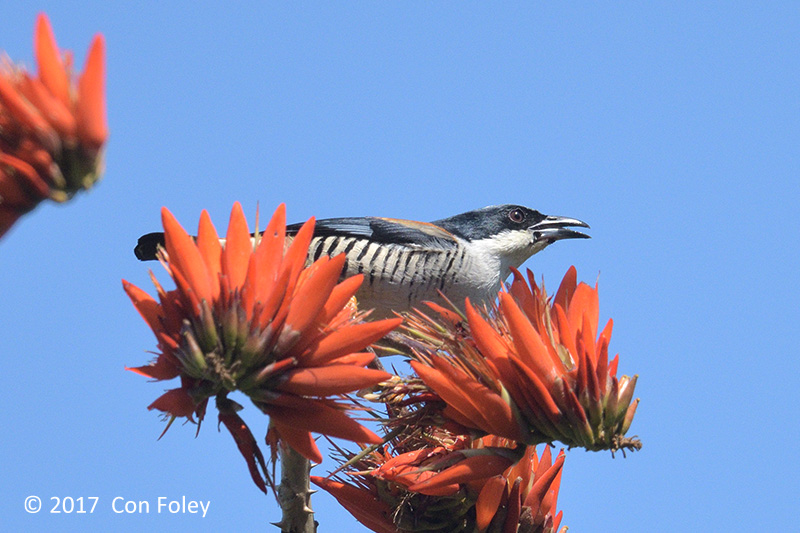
[{"x": 383, "y": 230}]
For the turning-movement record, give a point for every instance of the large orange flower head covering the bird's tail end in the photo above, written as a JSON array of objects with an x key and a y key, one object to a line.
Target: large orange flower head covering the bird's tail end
[{"x": 249, "y": 317}]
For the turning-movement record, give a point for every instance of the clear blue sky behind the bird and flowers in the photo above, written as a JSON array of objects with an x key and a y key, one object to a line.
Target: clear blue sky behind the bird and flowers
[{"x": 673, "y": 129}]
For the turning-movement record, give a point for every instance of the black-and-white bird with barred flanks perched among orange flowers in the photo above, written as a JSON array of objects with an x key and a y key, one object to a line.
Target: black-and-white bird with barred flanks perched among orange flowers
[{"x": 406, "y": 262}]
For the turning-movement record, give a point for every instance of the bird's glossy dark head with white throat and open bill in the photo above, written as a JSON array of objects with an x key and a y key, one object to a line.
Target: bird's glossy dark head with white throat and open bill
[{"x": 511, "y": 232}]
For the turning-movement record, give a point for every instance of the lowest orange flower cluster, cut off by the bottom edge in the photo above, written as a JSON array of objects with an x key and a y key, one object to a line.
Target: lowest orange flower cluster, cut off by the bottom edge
[{"x": 456, "y": 485}]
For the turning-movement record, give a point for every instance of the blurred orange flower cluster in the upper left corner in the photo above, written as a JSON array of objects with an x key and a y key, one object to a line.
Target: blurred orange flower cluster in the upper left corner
[{"x": 52, "y": 126}]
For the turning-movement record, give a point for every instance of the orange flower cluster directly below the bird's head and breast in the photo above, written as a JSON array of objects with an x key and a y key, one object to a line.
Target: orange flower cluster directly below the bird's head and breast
[{"x": 531, "y": 370}]
